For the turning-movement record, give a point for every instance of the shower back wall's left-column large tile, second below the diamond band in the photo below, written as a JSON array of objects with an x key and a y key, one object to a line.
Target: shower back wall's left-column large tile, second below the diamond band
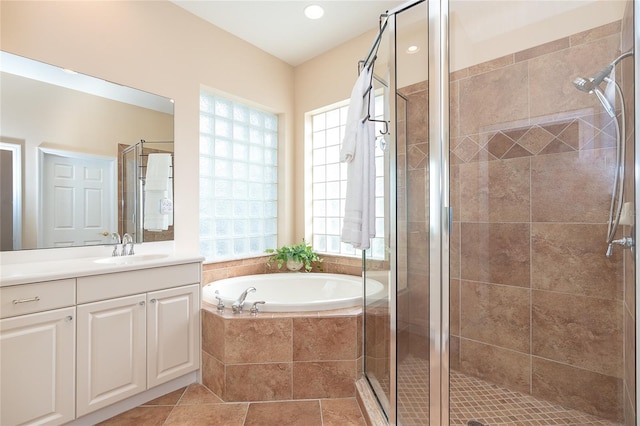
[{"x": 496, "y": 253}]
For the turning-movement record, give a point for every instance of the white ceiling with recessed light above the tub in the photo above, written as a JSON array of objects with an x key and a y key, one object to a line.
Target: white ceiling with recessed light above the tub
[{"x": 281, "y": 29}]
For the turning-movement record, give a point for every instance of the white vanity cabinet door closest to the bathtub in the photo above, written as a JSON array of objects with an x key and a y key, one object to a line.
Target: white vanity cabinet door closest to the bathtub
[{"x": 173, "y": 325}]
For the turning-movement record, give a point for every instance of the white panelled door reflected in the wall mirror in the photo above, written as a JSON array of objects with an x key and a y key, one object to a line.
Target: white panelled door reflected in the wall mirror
[{"x": 78, "y": 200}]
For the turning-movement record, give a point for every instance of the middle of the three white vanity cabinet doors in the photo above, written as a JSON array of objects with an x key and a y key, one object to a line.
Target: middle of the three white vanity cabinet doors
[{"x": 111, "y": 351}]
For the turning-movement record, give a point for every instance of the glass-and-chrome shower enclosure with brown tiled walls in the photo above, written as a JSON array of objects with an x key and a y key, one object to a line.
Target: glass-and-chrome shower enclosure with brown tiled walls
[{"x": 510, "y": 188}]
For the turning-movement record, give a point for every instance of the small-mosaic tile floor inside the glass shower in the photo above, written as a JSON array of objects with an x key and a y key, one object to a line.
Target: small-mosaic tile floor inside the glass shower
[{"x": 474, "y": 399}]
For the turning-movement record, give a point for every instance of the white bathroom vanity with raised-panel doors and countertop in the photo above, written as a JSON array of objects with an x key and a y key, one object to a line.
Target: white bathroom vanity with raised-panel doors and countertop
[{"x": 78, "y": 336}]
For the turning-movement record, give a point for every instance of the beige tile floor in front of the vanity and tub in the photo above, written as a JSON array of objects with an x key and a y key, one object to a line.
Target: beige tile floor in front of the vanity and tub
[{"x": 196, "y": 405}]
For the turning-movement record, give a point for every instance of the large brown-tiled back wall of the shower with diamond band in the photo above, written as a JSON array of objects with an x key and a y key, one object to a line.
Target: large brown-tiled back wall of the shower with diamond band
[{"x": 535, "y": 304}]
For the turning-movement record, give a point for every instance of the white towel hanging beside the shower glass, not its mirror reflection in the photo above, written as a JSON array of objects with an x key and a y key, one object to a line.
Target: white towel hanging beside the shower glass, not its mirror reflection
[{"x": 358, "y": 151}]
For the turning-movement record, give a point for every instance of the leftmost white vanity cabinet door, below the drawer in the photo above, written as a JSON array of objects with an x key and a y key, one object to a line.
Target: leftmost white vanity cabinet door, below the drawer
[{"x": 37, "y": 358}]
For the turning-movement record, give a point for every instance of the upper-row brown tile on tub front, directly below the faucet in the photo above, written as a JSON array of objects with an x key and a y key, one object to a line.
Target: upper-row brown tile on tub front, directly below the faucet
[{"x": 258, "y": 340}]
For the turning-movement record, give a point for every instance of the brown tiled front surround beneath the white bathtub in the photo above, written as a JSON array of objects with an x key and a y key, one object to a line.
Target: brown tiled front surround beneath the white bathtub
[{"x": 281, "y": 356}]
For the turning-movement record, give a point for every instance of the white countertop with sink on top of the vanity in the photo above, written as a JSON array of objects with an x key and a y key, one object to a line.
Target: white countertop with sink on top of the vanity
[{"x": 56, "y": 264}]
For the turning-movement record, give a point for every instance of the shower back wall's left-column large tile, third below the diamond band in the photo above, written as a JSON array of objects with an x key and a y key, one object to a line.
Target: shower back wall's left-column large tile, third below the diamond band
[{"x": 495, "y": 314}]
